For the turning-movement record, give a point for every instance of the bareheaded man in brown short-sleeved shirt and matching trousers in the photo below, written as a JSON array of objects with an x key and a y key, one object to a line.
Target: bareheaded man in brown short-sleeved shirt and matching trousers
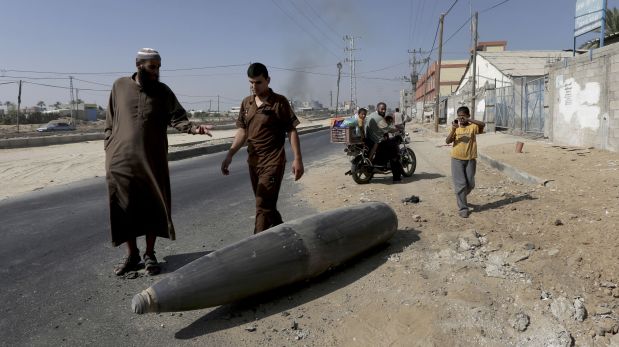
[{"x": 263, "y": 122}]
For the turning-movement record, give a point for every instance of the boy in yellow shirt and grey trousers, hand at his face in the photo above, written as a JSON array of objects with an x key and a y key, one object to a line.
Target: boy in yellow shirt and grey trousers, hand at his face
[{"x": 463, "y": 156}]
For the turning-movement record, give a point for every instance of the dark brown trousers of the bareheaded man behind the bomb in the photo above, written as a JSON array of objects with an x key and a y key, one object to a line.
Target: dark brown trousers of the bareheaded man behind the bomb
[{"x": 266, "y": 182}]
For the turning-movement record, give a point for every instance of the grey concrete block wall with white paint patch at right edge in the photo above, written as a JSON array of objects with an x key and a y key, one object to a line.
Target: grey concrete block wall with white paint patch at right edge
[{"x": 582, "y": 96}]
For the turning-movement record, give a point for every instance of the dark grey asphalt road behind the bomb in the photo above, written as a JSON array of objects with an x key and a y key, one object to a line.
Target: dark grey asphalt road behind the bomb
[{"x": 57, "y": 287}]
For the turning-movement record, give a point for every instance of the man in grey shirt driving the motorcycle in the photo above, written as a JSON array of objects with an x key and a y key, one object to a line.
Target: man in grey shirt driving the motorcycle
[{"x": 383, "y": 148}]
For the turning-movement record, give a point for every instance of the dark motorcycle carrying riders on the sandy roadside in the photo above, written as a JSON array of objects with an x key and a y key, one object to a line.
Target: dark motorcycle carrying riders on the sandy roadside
[{"x": 363, "y": 170}]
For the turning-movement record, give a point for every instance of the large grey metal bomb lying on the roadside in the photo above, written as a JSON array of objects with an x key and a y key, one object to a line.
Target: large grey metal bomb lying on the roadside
[{"x": 290, "y": 252}]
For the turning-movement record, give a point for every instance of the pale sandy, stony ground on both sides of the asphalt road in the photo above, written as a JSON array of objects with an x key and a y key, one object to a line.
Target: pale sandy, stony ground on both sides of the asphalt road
[{"x": 532, "y": 266}]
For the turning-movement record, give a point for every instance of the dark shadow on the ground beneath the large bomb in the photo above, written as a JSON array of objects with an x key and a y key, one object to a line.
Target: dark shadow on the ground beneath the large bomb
[{"x": 284, "y": 298}]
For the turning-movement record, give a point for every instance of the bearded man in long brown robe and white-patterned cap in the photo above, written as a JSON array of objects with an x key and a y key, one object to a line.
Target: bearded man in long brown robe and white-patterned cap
[{"x": 136, "y": 146}]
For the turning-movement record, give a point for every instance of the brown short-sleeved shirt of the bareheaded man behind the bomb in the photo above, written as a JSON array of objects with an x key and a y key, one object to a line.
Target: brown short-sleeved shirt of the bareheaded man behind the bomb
[{"x": 266, "y": 128}]
